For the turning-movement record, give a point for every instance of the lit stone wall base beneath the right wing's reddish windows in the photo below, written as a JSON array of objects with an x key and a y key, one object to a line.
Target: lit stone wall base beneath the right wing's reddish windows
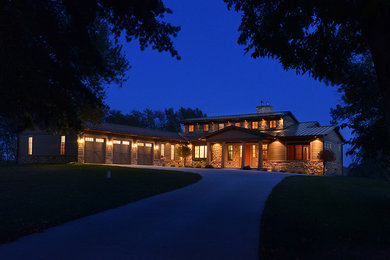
[{"x": 308, "y": 167}]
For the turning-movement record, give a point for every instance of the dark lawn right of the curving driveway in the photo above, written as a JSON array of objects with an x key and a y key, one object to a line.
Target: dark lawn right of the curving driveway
[{"x": 308, "y": 217}]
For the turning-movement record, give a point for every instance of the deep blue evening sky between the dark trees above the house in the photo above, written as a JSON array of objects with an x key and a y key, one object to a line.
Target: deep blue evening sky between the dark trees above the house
[{"x": 214, "y": 73}]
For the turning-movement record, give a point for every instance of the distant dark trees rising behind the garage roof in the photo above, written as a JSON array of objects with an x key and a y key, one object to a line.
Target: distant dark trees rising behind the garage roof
[{"x": 155, "y": 119}]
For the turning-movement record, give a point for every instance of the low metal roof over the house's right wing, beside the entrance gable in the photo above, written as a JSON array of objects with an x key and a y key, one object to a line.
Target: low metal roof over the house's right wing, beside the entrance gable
[{"x": 305, "y": 129}]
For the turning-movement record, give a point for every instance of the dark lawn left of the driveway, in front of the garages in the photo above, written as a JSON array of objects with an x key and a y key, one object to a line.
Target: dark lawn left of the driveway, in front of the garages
[{"x": 35, "y": 197}]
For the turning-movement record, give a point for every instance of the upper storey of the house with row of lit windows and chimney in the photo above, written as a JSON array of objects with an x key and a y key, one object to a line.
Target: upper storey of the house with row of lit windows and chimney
[{"x": 265, "y": 119}]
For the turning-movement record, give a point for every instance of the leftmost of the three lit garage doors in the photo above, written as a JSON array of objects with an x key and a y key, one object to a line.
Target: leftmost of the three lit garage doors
[{"x": 95, "y": 150}]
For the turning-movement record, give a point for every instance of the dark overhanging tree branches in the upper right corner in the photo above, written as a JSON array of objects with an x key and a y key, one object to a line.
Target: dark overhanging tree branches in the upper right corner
[{"x": 322, "y": 38}]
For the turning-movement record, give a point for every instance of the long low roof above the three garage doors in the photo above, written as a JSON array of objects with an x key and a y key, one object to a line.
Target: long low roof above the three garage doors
[{"x": 133, "y": 130}]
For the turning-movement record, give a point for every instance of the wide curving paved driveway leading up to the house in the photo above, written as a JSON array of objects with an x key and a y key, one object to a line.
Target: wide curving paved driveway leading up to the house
[{"x": 215, "y": 218}]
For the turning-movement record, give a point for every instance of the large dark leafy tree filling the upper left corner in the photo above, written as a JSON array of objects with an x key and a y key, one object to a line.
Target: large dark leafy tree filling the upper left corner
[{"x": 58, "y": 56}]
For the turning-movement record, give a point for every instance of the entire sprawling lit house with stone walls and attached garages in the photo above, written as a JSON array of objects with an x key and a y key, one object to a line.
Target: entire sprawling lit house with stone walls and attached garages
[{"x": 266, "y": 140}]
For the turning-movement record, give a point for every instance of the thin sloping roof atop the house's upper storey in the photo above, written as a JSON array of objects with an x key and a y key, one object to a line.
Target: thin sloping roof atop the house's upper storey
[{"x": 239, "y": 117}]
